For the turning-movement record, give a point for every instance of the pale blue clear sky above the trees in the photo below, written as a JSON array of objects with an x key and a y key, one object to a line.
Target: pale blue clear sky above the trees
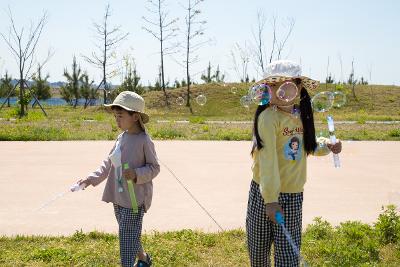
[{"x": 365, "y": 32}]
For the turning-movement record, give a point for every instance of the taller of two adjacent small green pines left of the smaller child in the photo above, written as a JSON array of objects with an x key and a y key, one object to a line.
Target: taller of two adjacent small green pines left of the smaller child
[{"x": 71, "y": 91}]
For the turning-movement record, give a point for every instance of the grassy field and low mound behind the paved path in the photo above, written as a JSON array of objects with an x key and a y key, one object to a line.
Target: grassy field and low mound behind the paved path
[{"x": 373, "y": 103}]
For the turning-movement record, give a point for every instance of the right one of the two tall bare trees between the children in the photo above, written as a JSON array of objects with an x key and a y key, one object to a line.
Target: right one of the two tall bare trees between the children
[{"x": 194, "y": 29}]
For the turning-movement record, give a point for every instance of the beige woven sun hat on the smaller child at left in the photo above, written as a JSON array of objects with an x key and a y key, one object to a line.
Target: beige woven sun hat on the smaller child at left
[{"x": 131, "y": 101}]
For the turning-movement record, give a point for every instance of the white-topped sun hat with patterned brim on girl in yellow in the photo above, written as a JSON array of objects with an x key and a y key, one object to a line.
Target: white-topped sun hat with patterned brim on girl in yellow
[{"x": 282, "y": 70}]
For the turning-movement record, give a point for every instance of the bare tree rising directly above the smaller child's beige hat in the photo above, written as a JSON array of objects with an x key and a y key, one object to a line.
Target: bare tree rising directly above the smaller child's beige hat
[{"x": 108, "y": 39}]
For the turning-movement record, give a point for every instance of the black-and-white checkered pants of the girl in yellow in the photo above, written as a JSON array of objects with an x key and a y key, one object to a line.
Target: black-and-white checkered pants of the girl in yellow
[{"x": 262, "y": 232}]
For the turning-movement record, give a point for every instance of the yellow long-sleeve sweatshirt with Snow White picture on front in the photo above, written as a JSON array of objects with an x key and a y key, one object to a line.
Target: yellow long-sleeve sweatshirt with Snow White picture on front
[{"x": 280, "y": 166}]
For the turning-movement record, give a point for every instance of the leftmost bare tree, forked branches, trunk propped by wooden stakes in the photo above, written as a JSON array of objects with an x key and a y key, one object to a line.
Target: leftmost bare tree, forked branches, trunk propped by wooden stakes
[{"x": 24, "y": 53}]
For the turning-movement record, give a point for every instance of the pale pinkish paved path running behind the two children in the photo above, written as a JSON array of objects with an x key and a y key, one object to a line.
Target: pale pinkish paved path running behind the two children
[{"x": 217, "y": 173}]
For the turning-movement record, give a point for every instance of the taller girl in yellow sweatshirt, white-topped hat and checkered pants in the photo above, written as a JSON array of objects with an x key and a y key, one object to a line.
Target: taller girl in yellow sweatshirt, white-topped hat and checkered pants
[{"x": 284, "y": 135}]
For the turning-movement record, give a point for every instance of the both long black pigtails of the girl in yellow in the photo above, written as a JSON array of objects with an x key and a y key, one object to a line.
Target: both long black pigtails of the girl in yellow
[{"x": 307, "y": 118}]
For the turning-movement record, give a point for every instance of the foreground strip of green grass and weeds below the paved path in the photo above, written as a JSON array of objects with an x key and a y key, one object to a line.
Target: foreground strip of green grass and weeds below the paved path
[{"x": 349, "y": 244}]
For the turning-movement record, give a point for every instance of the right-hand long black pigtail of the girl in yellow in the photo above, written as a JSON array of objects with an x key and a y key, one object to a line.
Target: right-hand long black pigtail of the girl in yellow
[{"x": 307, "y": 119}]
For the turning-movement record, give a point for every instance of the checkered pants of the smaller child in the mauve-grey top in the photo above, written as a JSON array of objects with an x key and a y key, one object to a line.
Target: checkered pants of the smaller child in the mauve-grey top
[{"x": 130, "y": 229}]
